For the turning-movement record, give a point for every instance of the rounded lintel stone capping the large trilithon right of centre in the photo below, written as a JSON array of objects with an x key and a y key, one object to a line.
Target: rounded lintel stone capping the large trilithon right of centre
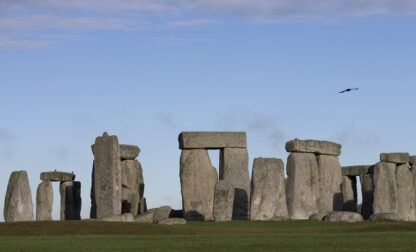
[{"x": 313, "y": 146}]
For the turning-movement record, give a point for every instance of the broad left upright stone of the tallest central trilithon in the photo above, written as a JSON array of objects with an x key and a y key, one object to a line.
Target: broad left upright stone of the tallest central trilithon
[{"x": 198, "y": 180}]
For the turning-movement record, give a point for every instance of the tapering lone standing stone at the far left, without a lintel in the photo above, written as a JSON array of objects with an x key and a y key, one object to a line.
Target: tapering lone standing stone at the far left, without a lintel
[{"x": 18, "y": 204}]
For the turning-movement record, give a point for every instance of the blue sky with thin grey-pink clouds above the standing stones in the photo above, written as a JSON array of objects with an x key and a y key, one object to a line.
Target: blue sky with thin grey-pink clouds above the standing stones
[{"x": 147, "y": 70}]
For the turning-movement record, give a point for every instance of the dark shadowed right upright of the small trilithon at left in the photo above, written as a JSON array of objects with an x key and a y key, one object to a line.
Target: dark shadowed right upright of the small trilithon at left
[{"x": 70, "y": 200}]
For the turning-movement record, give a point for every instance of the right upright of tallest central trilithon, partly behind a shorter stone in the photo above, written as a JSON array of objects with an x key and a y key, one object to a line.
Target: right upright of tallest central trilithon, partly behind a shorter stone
[{"x": 234, "y": 171}]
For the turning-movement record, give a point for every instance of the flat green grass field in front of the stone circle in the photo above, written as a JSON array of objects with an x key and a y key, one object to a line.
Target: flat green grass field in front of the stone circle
[{"x": 197, "y": 236}]
